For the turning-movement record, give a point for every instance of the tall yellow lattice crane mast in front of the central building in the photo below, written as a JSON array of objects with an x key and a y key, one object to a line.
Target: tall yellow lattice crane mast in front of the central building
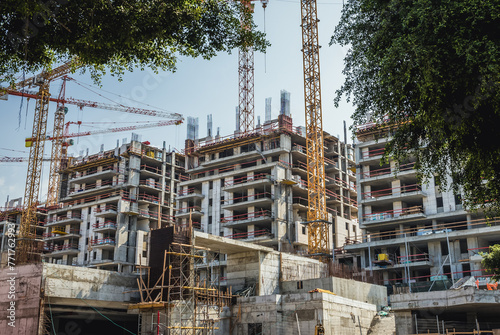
[{"x": 317, "y": 215}]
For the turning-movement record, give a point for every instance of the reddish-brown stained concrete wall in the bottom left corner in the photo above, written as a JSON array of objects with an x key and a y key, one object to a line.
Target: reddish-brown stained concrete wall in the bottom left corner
[{"x": 25, "y": 299}]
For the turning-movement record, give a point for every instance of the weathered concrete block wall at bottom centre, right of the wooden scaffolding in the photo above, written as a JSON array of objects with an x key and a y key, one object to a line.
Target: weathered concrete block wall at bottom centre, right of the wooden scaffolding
[{"x": 285, "y": 314}]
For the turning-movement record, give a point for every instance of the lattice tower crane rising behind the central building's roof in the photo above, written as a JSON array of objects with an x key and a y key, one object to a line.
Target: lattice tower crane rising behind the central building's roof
[{"x": 246, "y": 72}]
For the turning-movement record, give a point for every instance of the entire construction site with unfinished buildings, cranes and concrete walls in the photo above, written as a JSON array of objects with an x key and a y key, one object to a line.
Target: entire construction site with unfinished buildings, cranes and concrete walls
[{"x": 276, "y": 228}]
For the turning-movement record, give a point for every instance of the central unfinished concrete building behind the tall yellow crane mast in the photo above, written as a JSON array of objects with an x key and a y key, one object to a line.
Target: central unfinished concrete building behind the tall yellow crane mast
[{"x": 253, "y": 187}]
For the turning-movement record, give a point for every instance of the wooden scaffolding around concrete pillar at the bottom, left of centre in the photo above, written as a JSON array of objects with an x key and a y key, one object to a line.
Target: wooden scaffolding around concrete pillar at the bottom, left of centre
[{"x": 185, "y": 299}]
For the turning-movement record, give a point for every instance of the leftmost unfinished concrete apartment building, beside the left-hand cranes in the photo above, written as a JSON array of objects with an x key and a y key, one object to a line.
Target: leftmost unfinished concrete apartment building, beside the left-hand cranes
[{"x": 108, "y": 203}]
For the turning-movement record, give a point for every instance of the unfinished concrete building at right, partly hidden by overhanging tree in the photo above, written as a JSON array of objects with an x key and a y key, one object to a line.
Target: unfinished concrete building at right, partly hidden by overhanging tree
[{"x": 416, "y": 236}]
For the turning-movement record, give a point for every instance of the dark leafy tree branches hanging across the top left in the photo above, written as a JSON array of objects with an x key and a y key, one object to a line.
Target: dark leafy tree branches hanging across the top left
[{"x": 119, "y": 34}]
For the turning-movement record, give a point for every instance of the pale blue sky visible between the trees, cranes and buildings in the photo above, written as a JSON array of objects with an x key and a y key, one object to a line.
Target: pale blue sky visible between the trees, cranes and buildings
[{"x": 198, "y": 88}]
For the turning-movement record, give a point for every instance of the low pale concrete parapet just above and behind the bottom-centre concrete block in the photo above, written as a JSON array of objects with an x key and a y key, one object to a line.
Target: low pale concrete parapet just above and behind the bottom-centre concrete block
[{"x": 351, "y": 289}]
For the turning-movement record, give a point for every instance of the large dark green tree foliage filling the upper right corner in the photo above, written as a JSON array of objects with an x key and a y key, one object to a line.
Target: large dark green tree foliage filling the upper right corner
[{"x": 431, "y": 69}]
